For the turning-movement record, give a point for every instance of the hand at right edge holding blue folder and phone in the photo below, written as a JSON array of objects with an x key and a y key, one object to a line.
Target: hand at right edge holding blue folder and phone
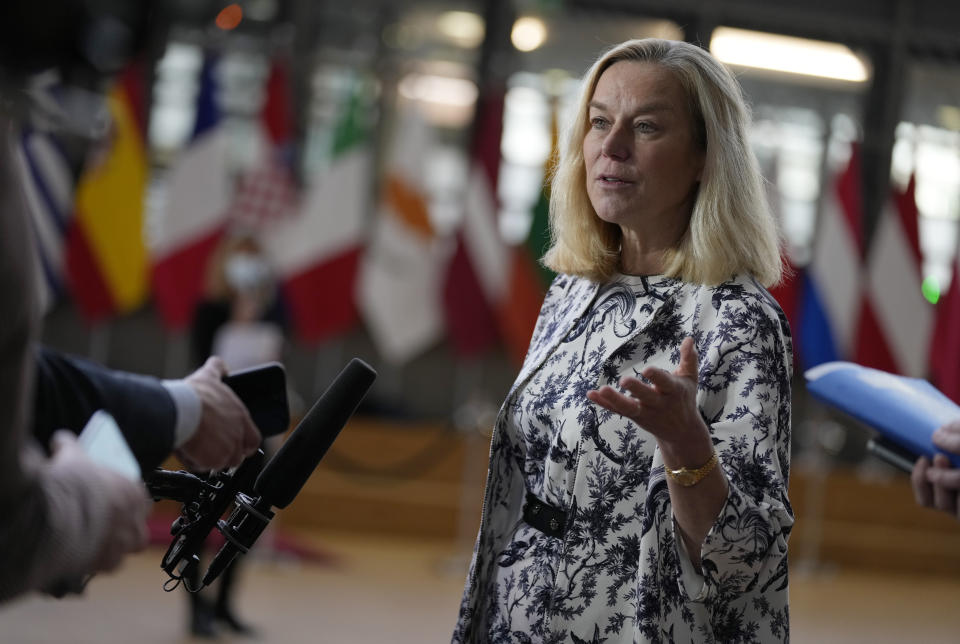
[{"x": 936, "y": 483}]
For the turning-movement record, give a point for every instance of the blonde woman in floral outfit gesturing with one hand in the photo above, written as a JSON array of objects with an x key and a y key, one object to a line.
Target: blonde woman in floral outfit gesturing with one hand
[{"x": 637, "y": 486}]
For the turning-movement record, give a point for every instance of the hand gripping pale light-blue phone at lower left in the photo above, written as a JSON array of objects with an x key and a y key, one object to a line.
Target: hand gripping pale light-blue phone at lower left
[{"x": 123, "y": 503}]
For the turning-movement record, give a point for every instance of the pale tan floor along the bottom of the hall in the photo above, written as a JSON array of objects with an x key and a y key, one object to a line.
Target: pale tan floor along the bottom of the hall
[{"x": 371, "y": 590}]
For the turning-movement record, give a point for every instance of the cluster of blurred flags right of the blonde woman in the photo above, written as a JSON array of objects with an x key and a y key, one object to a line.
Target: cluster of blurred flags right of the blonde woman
[{"x": 867, "y": 305}]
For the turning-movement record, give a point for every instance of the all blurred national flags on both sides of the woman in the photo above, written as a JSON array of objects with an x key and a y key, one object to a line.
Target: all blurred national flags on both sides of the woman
[{"x": 344, "y": 256}]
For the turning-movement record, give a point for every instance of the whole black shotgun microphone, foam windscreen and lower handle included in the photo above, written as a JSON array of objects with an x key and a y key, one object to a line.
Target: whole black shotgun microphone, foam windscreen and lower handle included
[{"x": 287, "y": 472}]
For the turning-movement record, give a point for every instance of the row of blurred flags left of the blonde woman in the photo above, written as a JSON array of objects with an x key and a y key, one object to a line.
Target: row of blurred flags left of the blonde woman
[{"x": 341, "y": 254}]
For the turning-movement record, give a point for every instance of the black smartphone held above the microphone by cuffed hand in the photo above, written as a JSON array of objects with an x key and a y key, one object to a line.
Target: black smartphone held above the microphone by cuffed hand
[{"x": 263, "y": 390}]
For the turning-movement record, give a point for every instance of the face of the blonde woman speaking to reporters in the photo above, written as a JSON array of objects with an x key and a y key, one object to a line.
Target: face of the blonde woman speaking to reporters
[{"x": 642, "y": 162}]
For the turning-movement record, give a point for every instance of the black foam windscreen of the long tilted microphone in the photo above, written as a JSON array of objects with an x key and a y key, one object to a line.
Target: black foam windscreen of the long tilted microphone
[{"x": 287, "y": 472}]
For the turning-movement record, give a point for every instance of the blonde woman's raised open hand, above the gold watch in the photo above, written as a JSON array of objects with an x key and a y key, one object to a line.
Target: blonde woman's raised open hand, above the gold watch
[{"x": 667, "y": 407}]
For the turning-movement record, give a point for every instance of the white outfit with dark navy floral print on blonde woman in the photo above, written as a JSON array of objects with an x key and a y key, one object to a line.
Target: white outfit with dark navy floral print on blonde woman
[{"x": 620, "y": 573}]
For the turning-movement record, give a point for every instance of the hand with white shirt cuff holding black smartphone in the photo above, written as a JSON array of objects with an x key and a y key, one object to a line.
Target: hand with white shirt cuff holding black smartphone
[{"x": 226, "y": 434}]
